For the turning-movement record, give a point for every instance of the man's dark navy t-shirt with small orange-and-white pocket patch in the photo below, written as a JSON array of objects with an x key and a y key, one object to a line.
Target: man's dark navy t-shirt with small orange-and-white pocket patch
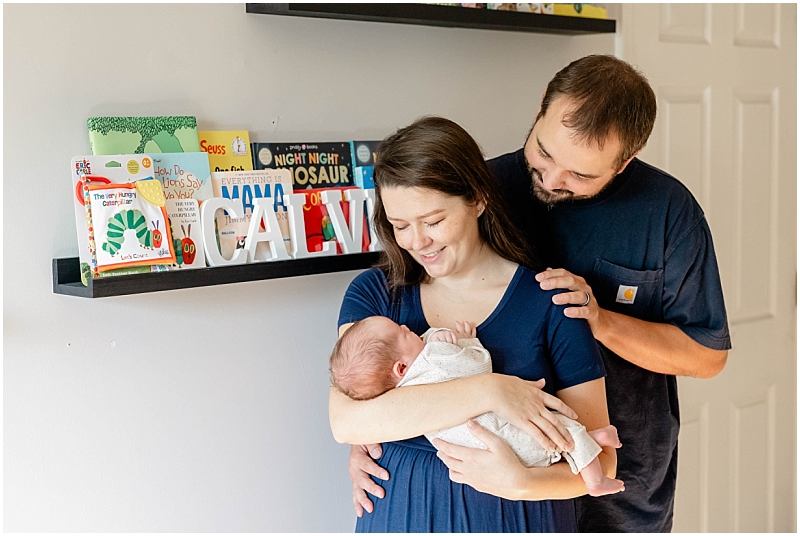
[{"x": 644, "y": 247}]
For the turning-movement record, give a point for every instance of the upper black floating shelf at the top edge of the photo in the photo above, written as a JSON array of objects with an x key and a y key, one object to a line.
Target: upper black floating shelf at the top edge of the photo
[{"x": 447, "y": 16}]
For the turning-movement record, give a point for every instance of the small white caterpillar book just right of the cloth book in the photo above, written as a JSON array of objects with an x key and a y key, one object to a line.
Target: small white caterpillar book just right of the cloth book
[{"x": 187, "y": 239}]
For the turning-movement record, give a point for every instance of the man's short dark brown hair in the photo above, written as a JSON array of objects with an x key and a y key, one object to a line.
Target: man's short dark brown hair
[{"x": 607, "y": 97}]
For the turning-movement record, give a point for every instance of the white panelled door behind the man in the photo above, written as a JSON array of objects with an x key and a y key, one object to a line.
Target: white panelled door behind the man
[{"x": 725, "y": 79}]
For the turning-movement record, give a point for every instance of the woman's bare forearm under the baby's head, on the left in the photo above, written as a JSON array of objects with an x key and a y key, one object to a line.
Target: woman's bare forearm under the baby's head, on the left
[{"x": 409, "y": 411}]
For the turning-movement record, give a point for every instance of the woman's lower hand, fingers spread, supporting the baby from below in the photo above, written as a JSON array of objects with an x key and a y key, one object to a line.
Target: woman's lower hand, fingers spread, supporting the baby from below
[{"x": 496, "y": 470}]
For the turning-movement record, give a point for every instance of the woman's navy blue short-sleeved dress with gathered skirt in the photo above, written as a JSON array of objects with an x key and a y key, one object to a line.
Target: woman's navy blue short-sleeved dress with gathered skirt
[{"x": 528, "y": 337}]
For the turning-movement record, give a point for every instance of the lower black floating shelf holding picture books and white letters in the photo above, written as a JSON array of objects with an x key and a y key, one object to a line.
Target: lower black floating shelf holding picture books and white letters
[{"x": 67, "y": 276}]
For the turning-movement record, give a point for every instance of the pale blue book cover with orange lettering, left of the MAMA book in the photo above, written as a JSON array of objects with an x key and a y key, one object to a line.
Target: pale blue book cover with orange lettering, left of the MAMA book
[{"x": 184, "y": 175}]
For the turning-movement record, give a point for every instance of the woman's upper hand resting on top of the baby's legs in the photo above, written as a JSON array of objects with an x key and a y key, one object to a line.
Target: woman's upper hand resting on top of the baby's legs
[{"x": 524, "y": 404}]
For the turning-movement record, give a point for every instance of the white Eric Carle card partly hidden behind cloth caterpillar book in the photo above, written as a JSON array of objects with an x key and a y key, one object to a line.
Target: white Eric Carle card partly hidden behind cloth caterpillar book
[{"x": 117, "y": 169}]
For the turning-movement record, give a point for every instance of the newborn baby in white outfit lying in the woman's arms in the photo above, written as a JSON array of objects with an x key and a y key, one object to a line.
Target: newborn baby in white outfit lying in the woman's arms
[{"x": 375, "y": 355}]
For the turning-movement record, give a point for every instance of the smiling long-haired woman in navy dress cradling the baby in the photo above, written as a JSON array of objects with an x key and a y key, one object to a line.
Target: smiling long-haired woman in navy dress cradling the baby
[{"x": 452, "y": 254}]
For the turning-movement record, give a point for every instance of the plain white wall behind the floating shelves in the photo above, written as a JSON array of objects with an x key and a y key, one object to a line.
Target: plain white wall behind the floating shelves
[{"x": 224, "y": 427}]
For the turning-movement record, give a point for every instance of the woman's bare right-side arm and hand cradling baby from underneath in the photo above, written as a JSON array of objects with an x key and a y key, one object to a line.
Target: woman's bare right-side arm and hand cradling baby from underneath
[{"x": 498, "y": 471}]
